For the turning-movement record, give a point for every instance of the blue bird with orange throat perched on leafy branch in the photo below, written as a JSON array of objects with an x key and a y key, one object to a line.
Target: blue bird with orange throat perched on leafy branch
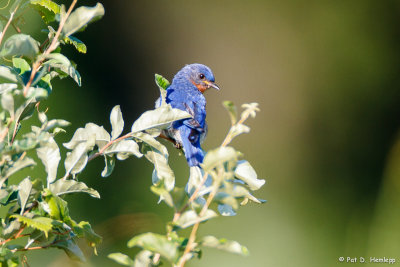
[{"x": 186, "y": 93}]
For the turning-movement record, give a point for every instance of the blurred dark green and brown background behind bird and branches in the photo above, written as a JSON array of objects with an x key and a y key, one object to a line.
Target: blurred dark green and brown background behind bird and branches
[{"x": 326, "y": 76}]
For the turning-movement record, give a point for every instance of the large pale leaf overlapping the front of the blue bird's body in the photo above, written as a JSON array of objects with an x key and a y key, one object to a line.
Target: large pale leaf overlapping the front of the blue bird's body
[{"x": 160, "y": 117}]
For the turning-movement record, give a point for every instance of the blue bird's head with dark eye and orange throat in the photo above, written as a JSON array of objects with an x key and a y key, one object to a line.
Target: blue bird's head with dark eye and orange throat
[{"x": 199, "y": 75}]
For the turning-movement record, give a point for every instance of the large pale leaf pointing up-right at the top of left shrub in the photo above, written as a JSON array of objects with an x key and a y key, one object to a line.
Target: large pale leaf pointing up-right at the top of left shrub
[{"x": 81, "y": 17}]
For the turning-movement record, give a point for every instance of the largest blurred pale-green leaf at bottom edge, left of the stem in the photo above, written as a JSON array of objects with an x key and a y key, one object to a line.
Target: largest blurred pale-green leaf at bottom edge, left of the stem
[{"x": 157, "y": 244}]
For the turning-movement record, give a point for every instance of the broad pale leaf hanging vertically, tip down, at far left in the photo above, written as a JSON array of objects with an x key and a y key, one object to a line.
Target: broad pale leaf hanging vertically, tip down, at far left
[{"x": 49, "y": 154}]
